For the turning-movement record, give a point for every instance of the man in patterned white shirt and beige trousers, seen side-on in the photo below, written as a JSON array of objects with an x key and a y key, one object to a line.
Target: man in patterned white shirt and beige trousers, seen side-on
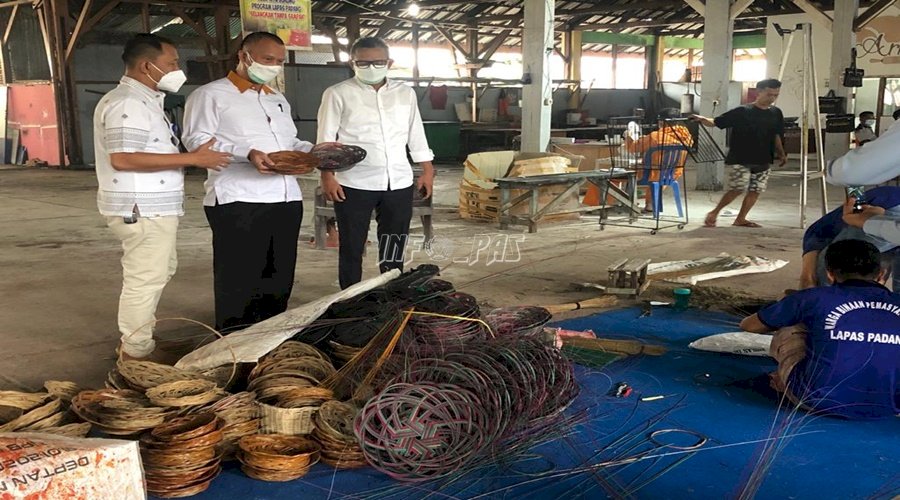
[{"x": 141, "y": 184}]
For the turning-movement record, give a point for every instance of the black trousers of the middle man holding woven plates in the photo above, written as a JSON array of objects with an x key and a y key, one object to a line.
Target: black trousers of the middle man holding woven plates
[{"x": 254, "y": 257}]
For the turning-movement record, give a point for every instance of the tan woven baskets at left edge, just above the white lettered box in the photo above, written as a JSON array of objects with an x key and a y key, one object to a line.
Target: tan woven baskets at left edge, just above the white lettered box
[{"x": 42, "y": 411}]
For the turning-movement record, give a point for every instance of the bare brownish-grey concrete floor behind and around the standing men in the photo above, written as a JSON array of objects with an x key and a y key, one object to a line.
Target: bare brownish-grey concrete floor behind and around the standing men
[{"x": 62, "y": 277}]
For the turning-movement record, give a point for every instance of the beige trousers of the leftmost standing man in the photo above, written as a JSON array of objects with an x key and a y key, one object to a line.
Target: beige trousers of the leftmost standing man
[{"x": 148, "y": 263}]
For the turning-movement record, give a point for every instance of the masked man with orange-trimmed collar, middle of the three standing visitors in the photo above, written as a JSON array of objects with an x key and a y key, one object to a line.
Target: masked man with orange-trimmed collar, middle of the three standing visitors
[{"x": 254, "y": 213}]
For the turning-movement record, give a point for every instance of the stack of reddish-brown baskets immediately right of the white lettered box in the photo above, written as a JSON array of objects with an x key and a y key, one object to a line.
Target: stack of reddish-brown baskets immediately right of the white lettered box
[{"x": 180, "y": 457}]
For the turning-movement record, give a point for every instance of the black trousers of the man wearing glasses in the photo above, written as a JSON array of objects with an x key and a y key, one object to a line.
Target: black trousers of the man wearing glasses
[{"x": 393, "y": 211}]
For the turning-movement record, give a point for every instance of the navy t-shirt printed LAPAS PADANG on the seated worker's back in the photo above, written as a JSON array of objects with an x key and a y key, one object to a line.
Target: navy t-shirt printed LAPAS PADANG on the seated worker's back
[{"x": 852, "y": 365}]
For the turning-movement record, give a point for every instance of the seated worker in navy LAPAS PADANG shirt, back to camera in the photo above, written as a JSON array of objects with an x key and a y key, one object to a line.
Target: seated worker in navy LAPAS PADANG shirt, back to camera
[{"x": 838, "y": 347}]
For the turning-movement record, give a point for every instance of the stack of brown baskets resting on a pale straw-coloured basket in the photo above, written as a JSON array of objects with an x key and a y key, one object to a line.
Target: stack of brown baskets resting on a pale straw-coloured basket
[{"x": 286, "y": 382}]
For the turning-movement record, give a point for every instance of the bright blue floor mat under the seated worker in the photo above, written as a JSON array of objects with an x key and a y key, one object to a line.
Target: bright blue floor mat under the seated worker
[{"x": 697, "y": 425}]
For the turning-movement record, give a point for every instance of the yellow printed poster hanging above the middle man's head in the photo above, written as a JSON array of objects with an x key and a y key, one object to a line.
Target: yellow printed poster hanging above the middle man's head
[{"x": 289, "y": 19}]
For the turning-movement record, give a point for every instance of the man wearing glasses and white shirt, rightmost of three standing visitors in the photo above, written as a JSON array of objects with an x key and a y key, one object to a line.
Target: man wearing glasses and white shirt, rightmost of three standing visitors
[{"x": 381, "y": 116}]
